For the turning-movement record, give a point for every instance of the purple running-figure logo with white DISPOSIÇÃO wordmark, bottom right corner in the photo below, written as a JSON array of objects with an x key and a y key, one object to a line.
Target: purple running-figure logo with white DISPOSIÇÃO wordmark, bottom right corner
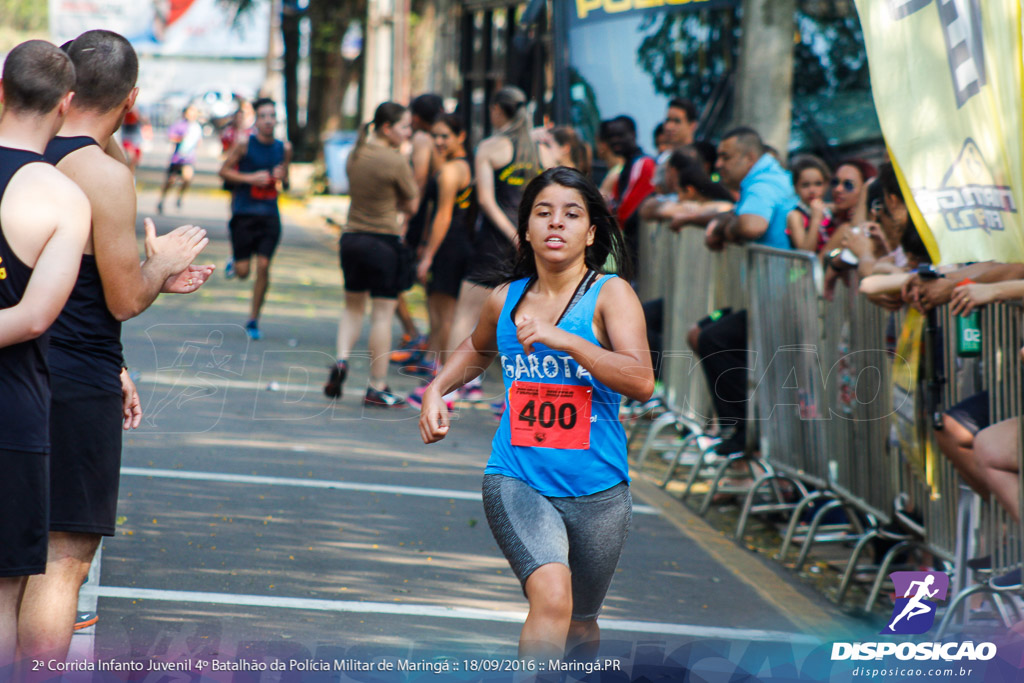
[{"x": 915, "y": 615}]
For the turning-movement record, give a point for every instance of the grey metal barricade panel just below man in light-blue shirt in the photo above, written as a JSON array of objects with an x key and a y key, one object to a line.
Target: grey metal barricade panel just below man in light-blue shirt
[{"x": 789, "y": 391}]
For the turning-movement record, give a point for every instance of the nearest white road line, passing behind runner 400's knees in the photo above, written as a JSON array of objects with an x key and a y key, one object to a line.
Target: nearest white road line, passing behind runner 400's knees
[{"x": 437, "y": 612}]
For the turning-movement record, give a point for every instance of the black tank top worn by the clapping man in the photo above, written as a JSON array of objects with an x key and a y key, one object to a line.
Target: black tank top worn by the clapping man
[{"x": 86, "y": 340}]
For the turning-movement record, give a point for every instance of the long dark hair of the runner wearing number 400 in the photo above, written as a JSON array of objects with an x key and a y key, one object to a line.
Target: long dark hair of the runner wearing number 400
[{"x": 608, "y": 236}]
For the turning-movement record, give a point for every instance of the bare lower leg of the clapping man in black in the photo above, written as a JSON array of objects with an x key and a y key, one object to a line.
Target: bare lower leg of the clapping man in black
[{"x": 51, "y": 604}]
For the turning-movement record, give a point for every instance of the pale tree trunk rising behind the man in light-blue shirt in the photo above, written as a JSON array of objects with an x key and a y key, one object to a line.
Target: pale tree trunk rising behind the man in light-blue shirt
[{"x": 764, "y": 76}]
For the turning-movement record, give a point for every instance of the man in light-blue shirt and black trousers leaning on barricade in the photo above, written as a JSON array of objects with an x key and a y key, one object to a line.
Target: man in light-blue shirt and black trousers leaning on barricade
[{"x": 766, "y": 197}]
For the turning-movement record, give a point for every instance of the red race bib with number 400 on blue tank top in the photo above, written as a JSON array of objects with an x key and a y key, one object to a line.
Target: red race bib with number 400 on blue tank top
[{"x": 550, "y": 416}]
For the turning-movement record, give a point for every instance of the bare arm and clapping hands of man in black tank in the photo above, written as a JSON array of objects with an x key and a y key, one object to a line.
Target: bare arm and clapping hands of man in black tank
[{"x": 129, "y": 286}]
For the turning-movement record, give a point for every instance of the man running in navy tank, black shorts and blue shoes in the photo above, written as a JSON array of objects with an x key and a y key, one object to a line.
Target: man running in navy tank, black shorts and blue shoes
[{"x": 257, "y": 167}]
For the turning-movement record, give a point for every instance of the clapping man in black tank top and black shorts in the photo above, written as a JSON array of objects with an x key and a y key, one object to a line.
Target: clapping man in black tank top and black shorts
[{"x": 93, "y": 398}]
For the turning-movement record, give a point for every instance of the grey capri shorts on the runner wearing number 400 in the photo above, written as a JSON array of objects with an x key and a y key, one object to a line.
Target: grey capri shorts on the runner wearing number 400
[{"x": 585, "y": 534}]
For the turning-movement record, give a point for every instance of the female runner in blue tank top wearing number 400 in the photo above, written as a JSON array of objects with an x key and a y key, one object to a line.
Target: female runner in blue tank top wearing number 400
[{"x": 571, "y": 340}]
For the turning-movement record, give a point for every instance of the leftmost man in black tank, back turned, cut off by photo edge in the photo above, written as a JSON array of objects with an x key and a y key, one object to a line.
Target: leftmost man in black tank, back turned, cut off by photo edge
[{"x": 45, "y": 223}]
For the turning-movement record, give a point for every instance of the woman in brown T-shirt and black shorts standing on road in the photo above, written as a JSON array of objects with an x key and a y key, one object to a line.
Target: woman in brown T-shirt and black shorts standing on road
[{"x": 383, "y": 195}]
